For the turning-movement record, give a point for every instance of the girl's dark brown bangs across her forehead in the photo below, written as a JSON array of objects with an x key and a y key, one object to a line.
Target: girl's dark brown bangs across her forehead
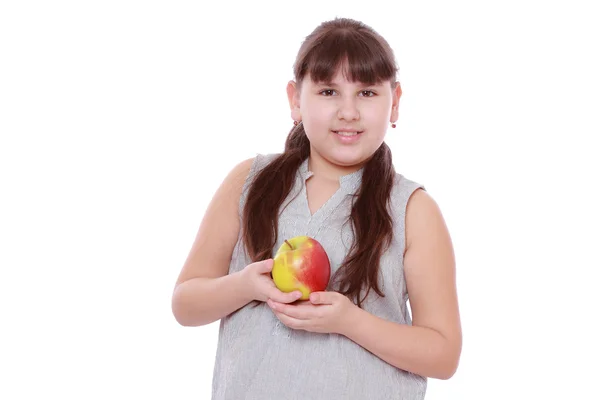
[{"x": 360, "y": 55}]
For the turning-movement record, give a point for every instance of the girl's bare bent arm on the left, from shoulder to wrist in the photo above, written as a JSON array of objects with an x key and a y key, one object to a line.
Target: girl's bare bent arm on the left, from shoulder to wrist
[{"x": 204, "y": 291}]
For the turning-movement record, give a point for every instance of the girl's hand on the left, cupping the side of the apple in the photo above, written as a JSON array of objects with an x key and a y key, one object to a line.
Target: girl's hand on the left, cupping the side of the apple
[{"x": 262, "y": 287}]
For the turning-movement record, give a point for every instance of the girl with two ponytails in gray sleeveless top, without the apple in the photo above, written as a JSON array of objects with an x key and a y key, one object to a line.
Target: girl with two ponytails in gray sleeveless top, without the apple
[{"x": 385, "y": 237}]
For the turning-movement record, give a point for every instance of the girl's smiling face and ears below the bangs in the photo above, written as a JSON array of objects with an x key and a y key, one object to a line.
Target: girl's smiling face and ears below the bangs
[{"x": 345, "y": 121}]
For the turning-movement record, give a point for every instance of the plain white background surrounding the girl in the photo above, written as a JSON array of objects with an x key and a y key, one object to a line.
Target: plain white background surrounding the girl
[{"x": 118, "y": 120}]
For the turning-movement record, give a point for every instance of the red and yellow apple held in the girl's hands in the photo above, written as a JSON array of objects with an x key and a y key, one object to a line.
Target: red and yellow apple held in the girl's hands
[{"x": 301, "y": 263}]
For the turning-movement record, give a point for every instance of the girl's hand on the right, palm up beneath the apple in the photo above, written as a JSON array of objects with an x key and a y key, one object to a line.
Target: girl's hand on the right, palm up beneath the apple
[{"x": 324, "y": 312}]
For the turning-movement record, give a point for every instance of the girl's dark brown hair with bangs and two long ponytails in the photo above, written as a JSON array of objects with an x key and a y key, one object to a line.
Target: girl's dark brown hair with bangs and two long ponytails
[{"x": 367, "y": 58}]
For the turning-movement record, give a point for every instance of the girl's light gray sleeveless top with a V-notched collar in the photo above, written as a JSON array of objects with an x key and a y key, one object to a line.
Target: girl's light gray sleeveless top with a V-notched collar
[{"x": 258, "y": 358}]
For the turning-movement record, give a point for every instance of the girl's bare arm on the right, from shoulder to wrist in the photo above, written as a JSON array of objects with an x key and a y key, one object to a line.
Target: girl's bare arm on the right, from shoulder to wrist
[{"x": 432, "y": 345}]
